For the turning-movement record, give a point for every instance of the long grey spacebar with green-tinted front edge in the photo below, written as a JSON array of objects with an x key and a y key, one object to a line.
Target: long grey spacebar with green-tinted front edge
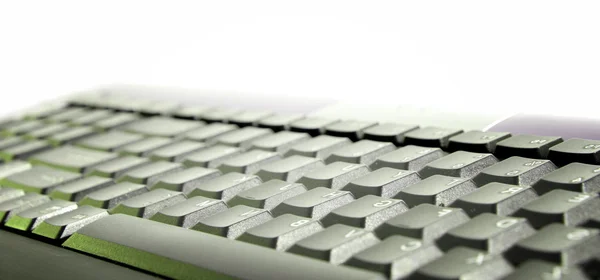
[{"x": 186, "y": 254}]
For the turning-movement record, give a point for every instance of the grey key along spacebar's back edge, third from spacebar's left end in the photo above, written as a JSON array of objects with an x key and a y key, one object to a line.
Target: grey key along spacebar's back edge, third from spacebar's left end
[{"x": 233, "y": 222}]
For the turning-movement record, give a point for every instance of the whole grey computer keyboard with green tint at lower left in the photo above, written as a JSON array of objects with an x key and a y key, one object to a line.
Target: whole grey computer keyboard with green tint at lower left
[{"x": 103, "y": 188}]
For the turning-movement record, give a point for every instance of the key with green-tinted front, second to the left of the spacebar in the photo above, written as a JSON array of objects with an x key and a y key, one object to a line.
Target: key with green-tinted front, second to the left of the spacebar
[{"x": 29, "y": 219}]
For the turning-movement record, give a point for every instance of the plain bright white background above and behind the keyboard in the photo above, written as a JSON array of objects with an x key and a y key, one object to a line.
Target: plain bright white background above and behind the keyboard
[{"x": 534, "y": 54}]
